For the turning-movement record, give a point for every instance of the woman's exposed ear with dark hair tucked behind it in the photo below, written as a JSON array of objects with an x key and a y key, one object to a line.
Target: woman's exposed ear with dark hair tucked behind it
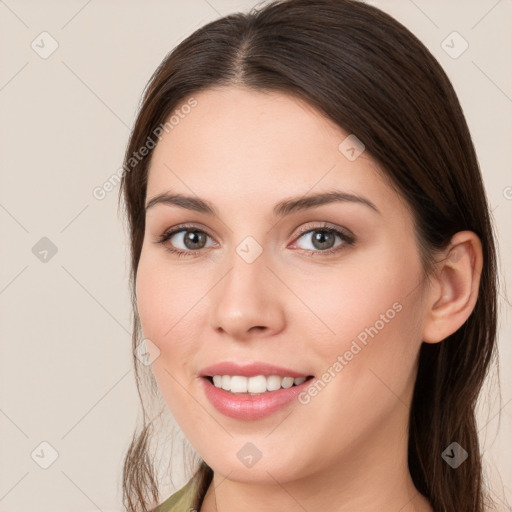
[{"x": 454, "y": 288}]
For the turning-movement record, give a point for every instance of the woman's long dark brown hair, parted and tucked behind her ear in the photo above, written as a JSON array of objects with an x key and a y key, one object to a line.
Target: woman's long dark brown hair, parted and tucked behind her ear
[{"x": 375, "y": 79}]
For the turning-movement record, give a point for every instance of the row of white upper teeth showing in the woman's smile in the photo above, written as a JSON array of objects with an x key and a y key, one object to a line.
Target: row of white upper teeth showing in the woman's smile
[{"x": 257, "y": 385}]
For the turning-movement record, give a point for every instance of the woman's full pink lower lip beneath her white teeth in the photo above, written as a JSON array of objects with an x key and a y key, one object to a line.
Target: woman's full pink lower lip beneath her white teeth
[{"x": 247, "y": 407}]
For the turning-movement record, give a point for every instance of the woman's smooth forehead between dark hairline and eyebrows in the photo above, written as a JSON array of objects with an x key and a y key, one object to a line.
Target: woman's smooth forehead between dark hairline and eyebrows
[{"x": 250, "y": 145}]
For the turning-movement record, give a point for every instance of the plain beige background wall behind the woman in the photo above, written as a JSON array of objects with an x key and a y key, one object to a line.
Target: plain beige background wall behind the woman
[{"x": 66, "y": 376}]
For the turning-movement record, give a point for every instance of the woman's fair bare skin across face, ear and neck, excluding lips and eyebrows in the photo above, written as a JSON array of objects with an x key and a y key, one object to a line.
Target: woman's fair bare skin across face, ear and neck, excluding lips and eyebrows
[{"x": 346, "y": 450}]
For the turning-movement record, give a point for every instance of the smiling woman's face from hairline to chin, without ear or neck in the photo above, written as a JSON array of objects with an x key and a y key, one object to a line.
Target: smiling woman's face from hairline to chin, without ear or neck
[{"x": 264, "y": 283}]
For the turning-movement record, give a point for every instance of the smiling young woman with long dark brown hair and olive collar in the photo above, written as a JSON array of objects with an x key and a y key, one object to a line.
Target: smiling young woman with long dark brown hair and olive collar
[{"x": 313, "y": 267}]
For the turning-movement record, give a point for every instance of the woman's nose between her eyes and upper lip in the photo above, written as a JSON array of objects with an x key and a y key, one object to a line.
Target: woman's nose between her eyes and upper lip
[{"x": 245, "y": 304}]
